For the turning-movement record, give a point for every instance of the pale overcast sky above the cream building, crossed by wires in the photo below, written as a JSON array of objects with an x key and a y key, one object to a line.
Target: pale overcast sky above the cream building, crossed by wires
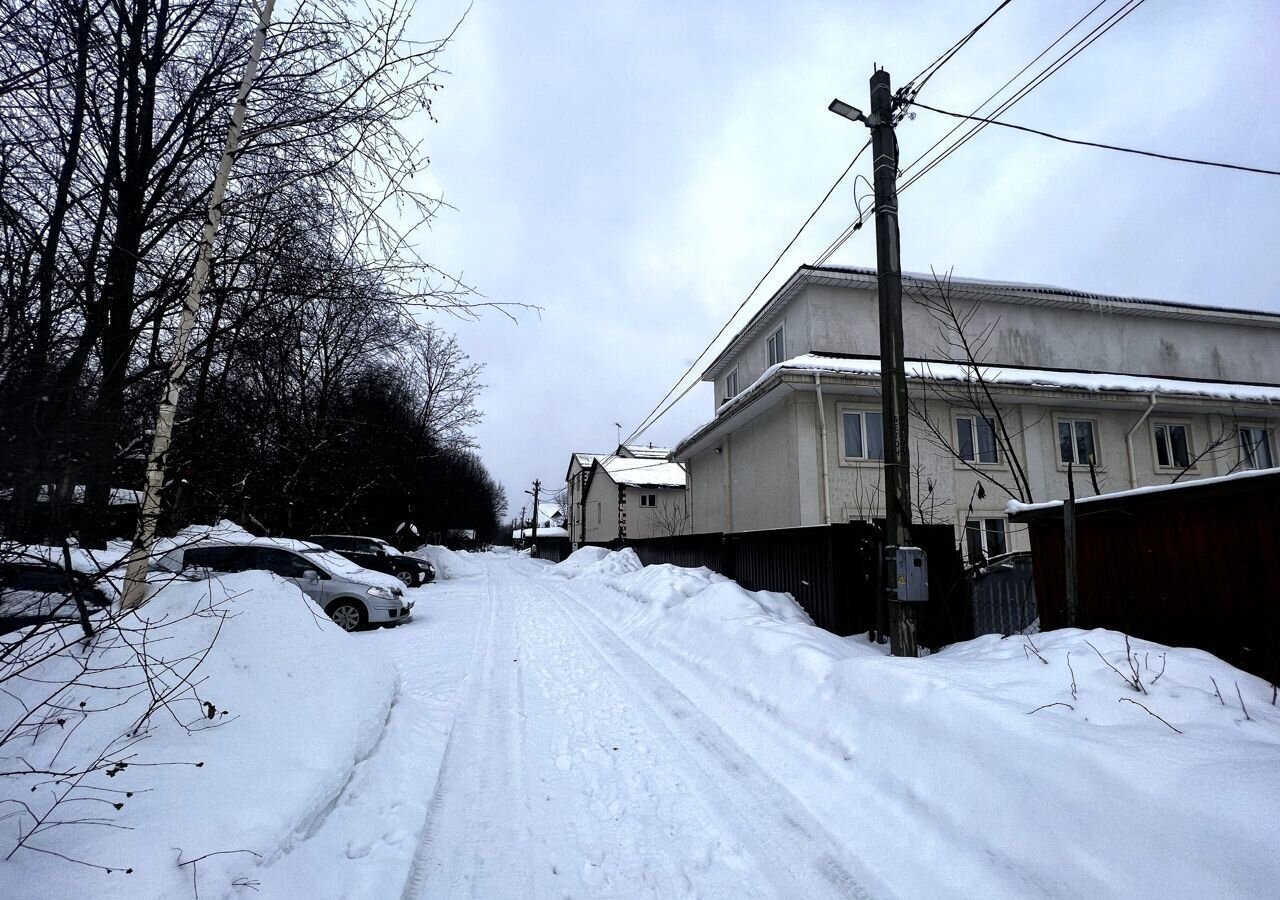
[{"x": 633, "y": 168}]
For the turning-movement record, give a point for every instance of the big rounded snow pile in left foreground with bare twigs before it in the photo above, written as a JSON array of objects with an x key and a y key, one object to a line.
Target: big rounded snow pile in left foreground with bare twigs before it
[{"x": 246, "y": 762}]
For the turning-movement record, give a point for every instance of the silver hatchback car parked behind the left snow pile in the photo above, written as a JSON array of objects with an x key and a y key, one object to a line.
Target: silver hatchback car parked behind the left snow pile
[{"x": 351, "y": 596}]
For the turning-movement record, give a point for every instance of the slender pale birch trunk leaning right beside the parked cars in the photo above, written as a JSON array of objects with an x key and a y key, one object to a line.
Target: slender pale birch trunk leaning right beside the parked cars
[{"x": 140, "y": 555}]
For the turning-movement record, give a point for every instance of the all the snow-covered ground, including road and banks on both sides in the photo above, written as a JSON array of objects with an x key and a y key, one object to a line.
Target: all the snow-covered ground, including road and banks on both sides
[{"x": 595, "y": 729}]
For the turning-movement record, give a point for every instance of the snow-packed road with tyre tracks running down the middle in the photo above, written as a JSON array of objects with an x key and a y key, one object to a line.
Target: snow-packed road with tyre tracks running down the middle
[{"x": 574, "y": 769}]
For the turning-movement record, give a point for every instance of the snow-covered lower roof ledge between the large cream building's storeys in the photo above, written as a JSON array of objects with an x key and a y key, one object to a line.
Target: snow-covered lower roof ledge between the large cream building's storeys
[{"x": 1018, "y": 377}]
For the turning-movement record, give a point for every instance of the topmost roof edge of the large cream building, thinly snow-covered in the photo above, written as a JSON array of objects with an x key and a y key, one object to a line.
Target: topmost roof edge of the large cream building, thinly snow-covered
[{"x": 980, "y": 290}]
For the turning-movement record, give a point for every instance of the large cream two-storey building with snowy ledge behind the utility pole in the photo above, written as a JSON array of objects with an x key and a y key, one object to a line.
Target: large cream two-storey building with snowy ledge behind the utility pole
[{"x": 1012, "y": 387}]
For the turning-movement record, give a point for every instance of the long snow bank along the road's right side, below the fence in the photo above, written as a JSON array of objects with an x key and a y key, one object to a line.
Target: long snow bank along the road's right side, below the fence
[{"x": 1007, "y": 769}]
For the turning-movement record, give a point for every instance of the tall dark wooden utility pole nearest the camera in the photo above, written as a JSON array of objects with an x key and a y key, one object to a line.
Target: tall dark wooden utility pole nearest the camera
[{"x": 889, "y": 269}]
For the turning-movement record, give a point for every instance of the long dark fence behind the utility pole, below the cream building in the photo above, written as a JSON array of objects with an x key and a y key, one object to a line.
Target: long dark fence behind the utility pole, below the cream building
[{"x": 831, "y": 570}]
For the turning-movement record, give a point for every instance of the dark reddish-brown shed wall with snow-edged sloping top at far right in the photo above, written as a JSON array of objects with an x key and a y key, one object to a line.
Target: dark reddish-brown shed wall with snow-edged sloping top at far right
[{"x": 1195, "y": 567}]
